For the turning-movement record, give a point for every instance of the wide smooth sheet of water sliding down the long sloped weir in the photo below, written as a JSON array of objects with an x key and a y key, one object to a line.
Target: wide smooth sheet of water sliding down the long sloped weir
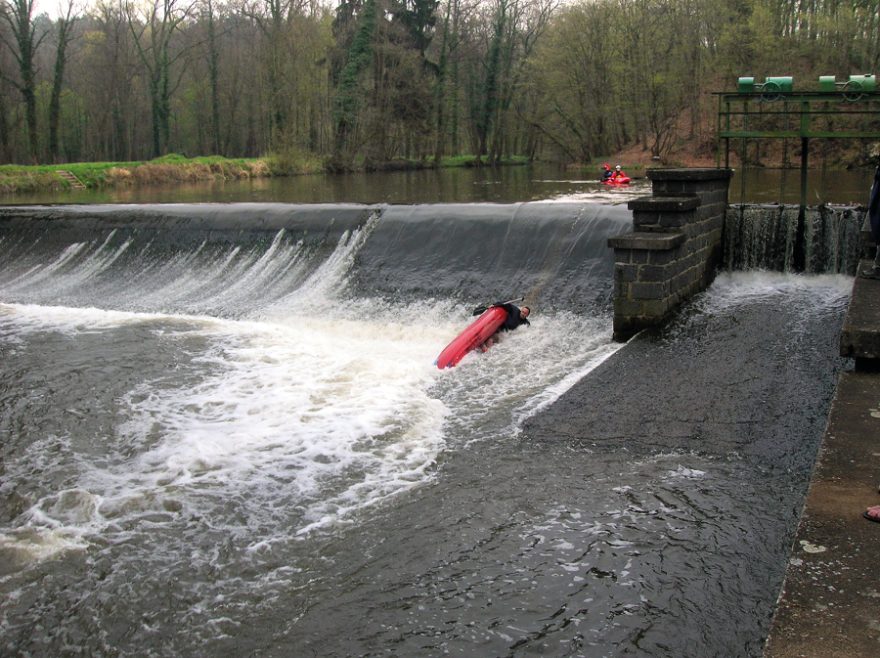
[{"x": 187, "y": 258}]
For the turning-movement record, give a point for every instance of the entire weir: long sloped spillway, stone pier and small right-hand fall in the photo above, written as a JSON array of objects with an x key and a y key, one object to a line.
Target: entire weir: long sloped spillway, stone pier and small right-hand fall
[{"x": 553, "y": 253}]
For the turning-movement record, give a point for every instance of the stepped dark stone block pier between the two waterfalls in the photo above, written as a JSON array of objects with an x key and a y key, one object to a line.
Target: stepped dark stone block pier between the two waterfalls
[{"x": 674, "y": 248}]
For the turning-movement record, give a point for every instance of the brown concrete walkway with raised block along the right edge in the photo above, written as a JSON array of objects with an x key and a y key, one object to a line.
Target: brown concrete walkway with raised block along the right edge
[{"x": 830, "y": 602}]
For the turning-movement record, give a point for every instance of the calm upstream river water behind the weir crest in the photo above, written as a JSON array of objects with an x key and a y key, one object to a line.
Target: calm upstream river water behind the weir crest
[{"x": 469, "y": 185}]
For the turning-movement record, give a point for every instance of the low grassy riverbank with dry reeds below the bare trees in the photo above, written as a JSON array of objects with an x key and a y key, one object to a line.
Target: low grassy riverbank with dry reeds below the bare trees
[{"x": 174, "y": 168}]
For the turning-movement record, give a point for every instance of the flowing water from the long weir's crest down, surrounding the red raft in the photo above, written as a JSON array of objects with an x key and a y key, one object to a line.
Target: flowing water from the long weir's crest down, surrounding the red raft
[{"x": 222, "y": 433}]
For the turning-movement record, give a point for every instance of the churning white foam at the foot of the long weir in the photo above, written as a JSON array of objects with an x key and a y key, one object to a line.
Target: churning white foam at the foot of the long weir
[{"x": 315, "y": 408}]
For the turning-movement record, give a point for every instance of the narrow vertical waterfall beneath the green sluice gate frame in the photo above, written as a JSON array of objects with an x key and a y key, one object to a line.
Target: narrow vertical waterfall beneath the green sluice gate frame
[{"x": 764, "y": 237}]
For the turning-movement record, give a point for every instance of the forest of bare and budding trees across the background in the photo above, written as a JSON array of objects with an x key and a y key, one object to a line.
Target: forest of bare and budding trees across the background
[{"x": 367, "y": 83}]
